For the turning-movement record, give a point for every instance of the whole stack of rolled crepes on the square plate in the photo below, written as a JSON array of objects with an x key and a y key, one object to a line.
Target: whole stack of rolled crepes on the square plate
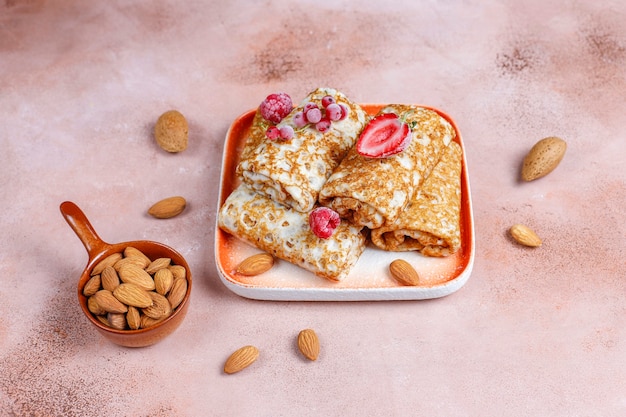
[{"x": 409, "y": 201}]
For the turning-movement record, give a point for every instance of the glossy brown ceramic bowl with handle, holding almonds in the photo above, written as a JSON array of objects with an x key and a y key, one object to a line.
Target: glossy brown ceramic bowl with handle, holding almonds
[{"x": 97, "y": 250}]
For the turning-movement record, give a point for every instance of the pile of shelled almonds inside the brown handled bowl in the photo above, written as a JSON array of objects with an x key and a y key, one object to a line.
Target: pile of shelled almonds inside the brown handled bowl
[{"x": 129, "y": 291}]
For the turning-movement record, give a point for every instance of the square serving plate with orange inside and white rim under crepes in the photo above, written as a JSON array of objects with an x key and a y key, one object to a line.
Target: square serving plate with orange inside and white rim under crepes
[{"x": 369, "y": 279}]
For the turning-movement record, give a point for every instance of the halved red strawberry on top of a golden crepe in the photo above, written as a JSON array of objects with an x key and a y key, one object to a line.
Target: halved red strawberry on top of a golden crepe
[{"x": 384, "y": 135}]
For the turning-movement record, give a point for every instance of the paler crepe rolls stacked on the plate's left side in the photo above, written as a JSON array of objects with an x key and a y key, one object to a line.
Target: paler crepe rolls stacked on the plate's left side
[{"x": 280, "y": 183}]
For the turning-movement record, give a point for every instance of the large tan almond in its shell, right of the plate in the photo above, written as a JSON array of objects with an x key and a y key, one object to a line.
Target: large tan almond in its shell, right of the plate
[{"x": 543, "y": 158}]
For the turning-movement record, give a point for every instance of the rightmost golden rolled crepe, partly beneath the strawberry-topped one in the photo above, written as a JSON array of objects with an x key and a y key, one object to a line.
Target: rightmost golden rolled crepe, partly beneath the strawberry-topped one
[{"x": 431, "y": 222}]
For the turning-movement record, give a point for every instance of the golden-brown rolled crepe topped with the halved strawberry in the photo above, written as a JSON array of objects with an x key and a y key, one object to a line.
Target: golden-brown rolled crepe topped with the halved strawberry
[{"x": 371, "y": 192}]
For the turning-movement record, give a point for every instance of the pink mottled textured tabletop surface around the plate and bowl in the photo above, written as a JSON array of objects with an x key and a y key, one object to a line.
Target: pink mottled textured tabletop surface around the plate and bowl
[{"x": 533, "y": 332}]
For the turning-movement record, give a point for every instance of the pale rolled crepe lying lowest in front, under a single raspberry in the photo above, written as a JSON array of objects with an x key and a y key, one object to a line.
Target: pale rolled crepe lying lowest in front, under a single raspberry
[{"x": 285, "y": 233}]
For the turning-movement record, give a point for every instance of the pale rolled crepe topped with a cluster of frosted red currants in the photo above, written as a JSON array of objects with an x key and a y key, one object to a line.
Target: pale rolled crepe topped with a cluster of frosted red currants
[{"x": 292, "y": 172}]
